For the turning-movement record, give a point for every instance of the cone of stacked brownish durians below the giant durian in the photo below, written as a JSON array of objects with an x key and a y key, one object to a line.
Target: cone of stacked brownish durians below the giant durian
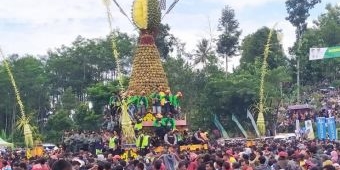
[{"x": 147, "y": 70}]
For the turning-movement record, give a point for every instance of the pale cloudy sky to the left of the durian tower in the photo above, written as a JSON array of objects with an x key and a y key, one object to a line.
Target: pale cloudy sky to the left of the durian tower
[{"x": 48, "y": 24}]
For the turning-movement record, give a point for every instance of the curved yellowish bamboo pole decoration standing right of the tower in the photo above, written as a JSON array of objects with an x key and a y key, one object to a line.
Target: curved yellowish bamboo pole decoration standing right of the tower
[{"x": 260, "y": 120}]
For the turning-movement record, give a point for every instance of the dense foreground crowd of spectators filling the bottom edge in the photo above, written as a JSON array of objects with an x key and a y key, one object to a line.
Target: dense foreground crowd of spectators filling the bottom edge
[{"x": 263, "y": 155}]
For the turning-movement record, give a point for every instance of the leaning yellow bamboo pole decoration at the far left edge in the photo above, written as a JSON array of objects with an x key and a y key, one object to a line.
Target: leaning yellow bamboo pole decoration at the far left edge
[{"x": 24, "y": 121}]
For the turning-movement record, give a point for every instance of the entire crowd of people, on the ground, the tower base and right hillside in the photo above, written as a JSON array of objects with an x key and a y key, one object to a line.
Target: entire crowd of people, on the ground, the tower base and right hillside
[{"x": 103, "y": 150}]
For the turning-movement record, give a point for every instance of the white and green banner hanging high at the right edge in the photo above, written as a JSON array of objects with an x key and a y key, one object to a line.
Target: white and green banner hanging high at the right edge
[{"x": 322, "y": 53}]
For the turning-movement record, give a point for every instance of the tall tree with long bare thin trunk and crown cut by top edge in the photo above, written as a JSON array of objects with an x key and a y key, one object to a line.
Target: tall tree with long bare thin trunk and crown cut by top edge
[{"x": 298, "y": 13}]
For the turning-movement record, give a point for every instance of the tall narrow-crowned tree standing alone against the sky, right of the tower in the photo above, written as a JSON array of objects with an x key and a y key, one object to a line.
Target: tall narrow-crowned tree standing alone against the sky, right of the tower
[{"x": 228, "y": 40}]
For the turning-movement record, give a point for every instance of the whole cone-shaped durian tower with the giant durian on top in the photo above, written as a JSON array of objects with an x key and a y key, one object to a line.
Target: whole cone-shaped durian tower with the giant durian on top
[{"x": 147, "y": 70}]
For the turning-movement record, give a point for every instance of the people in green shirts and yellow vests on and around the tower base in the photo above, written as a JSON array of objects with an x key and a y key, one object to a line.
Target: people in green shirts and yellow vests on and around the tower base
[{"x": 162, "y": 133}]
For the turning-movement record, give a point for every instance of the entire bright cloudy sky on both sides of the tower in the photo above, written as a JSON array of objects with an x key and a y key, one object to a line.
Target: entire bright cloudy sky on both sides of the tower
[{"x": 34, "y": 26}]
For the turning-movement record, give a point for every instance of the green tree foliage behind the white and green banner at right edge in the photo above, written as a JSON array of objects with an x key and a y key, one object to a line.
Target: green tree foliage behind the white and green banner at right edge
[{"x": 326, "y": 33}]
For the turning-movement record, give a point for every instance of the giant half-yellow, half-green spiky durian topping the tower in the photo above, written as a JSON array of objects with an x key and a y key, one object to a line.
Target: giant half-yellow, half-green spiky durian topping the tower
[{"x": 146, "y": 14}]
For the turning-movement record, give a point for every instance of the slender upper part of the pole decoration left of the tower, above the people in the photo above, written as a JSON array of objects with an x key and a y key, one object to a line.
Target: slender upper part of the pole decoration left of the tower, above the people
[{"x": 113, "y": 42}]
